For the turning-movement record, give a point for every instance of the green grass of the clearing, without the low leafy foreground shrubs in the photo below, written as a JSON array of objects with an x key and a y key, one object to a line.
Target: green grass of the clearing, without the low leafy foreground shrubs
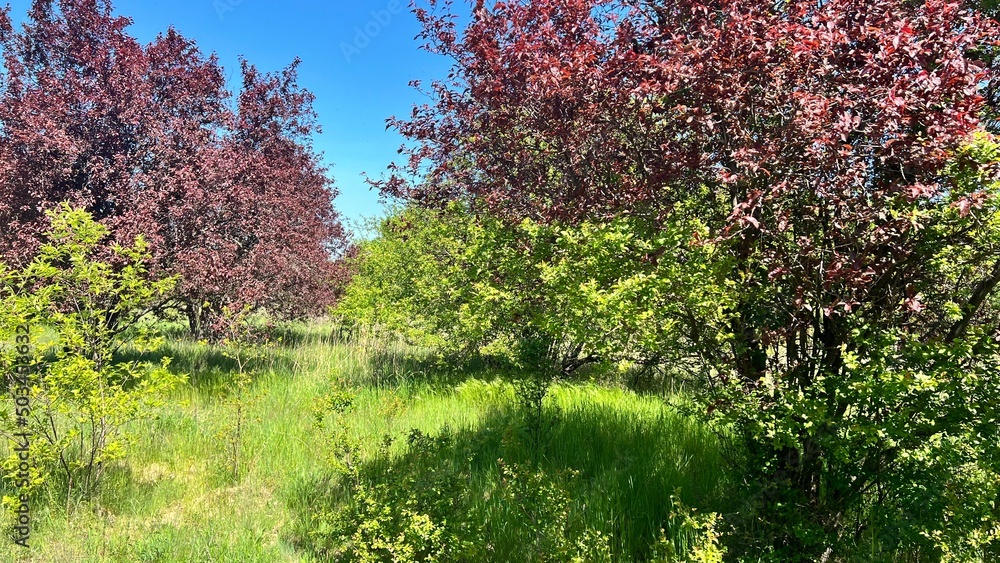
[{"x": 175, "y": 499}]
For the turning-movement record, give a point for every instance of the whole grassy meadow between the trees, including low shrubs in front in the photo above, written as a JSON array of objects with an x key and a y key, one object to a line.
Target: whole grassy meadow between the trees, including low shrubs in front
[{"x": 323, "y": 434}]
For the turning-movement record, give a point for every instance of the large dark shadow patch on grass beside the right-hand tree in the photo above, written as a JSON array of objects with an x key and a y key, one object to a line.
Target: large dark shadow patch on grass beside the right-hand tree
[{"x": 594, "y": 471}]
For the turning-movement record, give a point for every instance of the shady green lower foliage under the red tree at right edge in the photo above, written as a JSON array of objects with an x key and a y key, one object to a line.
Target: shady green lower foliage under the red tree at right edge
[{"x": 876, "y": 424}]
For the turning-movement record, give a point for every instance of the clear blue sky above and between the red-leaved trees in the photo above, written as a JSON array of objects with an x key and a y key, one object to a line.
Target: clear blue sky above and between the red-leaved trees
[{"x": 355, "y": 92}]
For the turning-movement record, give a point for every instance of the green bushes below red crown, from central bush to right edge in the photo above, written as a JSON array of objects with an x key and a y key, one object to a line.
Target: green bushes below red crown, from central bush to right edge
[{"x": 860, "y": 394}]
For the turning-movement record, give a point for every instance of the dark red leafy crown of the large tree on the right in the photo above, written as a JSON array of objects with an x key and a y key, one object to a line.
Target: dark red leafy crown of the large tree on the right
[{"x": 583, "y": 109}]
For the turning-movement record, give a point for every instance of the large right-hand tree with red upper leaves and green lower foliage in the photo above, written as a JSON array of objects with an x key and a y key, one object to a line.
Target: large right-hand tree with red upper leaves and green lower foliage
[{"x": 830, "y": 157}]
